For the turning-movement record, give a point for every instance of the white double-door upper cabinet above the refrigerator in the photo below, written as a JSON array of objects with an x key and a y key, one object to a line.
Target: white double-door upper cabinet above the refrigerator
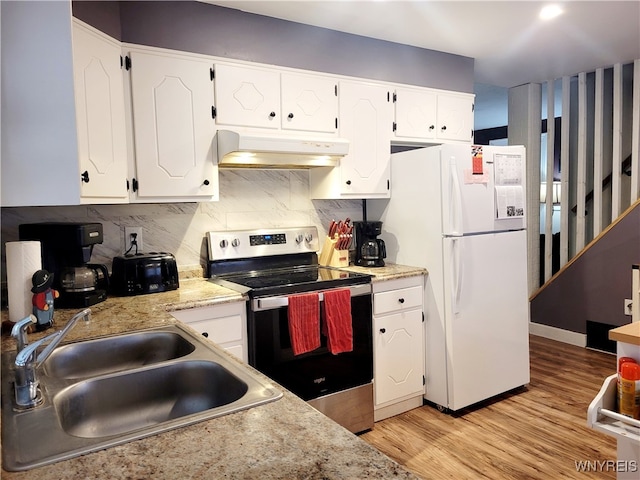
[{"x": 426, "y": 114}]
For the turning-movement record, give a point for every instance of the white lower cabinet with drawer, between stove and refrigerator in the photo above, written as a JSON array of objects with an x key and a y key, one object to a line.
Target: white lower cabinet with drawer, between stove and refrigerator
[{"x": 398, "y": 346}]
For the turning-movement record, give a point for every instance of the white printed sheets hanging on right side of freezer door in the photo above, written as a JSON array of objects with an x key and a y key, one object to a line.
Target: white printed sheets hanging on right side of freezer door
[{"x": 508, "y": 173}]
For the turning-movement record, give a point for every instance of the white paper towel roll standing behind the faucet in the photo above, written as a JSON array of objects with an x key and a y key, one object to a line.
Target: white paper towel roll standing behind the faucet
[{"x": 23, "y": 260}]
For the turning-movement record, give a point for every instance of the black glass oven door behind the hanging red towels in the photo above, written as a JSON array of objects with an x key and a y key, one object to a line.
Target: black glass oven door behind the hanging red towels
[{"x": 317, "y": 373}]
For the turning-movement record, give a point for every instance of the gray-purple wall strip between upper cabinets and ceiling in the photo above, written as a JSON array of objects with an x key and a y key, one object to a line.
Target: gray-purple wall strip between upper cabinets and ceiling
[{"x": 211, "y": 30}]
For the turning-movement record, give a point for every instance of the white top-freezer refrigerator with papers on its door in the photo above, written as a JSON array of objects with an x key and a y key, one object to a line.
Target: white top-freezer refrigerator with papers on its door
[{"x": 459, "y": 211}]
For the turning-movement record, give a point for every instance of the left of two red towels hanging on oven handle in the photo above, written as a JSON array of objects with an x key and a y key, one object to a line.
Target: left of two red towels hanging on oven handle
[{"x": 304, "y": 322}]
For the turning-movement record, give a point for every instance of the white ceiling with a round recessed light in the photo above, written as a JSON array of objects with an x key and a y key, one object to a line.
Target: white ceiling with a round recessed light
[{"x": 510, "y": 44}]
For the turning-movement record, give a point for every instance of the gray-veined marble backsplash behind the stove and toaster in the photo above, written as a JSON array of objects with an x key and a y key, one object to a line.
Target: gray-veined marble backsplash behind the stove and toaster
[{"x": 248, "y": 199}]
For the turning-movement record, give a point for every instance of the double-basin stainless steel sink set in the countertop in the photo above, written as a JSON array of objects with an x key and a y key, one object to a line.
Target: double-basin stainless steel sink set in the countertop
[{"x": 111, "y": 390}]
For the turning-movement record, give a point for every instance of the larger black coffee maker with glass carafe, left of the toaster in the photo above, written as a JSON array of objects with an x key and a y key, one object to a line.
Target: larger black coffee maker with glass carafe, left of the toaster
[{"x": 66, "y": 252}]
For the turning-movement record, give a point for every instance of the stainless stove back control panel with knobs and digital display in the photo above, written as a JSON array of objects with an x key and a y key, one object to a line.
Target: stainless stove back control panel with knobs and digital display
[{"x": 228, "y": 245}]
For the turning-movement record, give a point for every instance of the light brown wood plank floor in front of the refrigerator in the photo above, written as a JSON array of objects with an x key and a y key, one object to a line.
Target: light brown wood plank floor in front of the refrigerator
[{"x": 537, "y": 432}]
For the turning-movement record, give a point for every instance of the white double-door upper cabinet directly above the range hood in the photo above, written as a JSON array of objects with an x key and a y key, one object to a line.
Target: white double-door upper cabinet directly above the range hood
[{"x": 251, "y": 97}]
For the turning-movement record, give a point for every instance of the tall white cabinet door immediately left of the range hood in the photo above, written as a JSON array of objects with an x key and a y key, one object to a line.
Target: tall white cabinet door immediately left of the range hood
[{"x": 172, "y": 98}]
